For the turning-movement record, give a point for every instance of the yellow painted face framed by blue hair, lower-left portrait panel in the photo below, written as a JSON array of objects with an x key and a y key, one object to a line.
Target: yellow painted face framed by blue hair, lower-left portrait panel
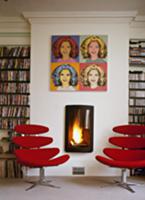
[{"x": 65, "y": 77}]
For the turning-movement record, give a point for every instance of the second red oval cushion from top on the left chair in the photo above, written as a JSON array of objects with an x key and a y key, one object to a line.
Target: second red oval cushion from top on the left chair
[{"x": 32, "y": 141}]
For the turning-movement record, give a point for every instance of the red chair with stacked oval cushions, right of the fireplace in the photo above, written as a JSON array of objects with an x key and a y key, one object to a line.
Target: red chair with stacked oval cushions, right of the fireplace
[{"x": 129, "y": 152}]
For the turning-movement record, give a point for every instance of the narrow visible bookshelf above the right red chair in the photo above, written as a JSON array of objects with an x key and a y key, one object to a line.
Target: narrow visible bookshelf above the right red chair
[{"x": 137, "y": 81}]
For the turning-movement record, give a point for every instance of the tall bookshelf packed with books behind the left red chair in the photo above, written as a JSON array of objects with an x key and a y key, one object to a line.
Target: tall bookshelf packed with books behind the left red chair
[{"x": 14, "y": 101}]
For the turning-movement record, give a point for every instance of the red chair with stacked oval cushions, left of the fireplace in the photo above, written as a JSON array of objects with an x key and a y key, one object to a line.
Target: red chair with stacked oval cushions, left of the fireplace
[{"x": 31, "y": 155}]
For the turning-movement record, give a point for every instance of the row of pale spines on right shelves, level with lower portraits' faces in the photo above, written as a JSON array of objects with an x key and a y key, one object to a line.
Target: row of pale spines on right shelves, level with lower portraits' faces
[{"x": 137, "y": 75}]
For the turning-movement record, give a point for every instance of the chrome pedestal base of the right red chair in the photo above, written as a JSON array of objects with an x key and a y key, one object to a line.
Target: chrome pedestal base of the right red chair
[{"x": 123, "y": 183}]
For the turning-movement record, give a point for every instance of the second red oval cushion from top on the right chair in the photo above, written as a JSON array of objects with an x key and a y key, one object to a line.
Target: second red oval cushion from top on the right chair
[{"x": 128, "y": 142}]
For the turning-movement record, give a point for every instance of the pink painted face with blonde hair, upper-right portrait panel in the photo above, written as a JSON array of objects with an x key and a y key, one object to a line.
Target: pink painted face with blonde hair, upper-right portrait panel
[{"x": 93, "y": 49}]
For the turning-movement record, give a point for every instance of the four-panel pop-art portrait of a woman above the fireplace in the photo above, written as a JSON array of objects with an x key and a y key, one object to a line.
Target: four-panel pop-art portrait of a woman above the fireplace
[{"x": 78, "y": 63}]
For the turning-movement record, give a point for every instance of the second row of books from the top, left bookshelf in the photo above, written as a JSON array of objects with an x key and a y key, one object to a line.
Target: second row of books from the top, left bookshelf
[{"x": 6, "y": 64}]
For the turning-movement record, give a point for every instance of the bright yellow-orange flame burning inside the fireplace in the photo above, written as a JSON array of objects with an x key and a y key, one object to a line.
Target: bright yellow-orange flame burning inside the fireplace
[{"x": 77, "y": 136}]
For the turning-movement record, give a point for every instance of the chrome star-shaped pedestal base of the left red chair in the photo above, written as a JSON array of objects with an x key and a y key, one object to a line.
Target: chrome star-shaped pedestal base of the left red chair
[{"x": 42, "y": 181}]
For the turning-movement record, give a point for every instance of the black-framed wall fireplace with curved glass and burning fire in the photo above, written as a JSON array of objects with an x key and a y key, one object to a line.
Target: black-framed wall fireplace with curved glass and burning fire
[{"x": 79, "y": 128}]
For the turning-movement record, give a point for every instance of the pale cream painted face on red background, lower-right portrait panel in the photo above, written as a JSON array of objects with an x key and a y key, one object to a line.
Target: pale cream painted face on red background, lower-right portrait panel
[{"x": 93, "y": 77}]
